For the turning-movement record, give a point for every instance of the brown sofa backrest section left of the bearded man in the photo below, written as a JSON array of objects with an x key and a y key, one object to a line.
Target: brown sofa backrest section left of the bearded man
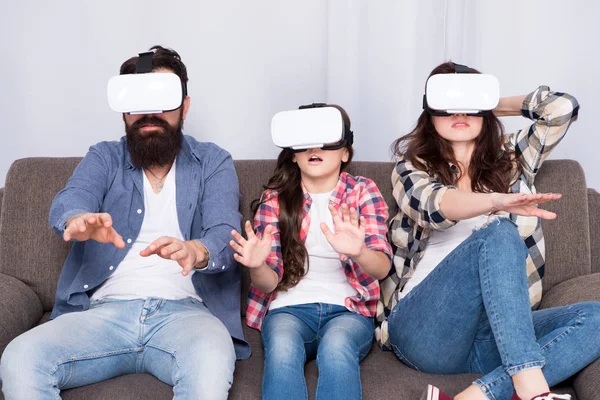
[{"x": 29, "y": 250}]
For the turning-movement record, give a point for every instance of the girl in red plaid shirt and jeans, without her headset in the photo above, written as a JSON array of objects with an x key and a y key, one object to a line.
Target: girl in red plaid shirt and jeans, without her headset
[{"x": 315, "y": 260}]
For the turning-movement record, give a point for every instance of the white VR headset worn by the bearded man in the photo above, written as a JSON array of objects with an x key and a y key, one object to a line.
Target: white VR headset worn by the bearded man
[{"x": 145, "y": 92}]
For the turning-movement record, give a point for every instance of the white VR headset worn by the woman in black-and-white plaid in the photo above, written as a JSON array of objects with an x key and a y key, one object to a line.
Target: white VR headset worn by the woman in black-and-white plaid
[{"x": 461, "y": 93}]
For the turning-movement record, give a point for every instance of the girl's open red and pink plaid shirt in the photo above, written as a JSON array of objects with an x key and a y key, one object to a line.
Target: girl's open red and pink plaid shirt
[{"x": 358, "y": 192}]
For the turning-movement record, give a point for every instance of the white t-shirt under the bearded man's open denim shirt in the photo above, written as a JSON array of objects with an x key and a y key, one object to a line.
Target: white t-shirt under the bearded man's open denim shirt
[{"x": 138, "y": 277}]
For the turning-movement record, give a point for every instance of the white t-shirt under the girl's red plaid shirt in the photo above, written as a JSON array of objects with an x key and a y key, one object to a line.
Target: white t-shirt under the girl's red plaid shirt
[{"x": 325, "y": 281}]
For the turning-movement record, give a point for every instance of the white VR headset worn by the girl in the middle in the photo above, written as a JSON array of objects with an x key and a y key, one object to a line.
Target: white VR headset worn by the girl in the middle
[{"x": 311, "y": 126}]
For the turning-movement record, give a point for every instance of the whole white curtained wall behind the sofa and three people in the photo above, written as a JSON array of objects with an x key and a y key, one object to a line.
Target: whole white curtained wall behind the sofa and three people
[{"x": 248, "y": 60}]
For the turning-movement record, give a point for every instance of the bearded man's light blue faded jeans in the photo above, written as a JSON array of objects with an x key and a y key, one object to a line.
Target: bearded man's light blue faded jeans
[{"x": 178, "y": 341}]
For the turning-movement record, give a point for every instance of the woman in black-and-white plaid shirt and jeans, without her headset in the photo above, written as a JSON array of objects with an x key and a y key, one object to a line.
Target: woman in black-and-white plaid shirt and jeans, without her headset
[{"x": 470, "y": 254}]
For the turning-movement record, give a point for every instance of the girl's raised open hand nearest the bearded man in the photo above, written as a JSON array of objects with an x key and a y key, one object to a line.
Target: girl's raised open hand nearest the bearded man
[{"x": 251, "y": 252}]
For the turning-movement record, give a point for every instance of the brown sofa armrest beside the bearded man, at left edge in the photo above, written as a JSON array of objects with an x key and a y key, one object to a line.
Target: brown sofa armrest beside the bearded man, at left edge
[{"x": 20, "y": 309}]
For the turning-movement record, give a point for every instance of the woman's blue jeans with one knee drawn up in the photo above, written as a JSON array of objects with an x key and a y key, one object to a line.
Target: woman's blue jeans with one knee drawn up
[{"x": 472, "y": 315}]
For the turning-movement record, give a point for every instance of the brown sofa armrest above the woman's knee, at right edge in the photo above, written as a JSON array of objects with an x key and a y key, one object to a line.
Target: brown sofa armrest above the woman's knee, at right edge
[{"x": 574, "y": 290}]
